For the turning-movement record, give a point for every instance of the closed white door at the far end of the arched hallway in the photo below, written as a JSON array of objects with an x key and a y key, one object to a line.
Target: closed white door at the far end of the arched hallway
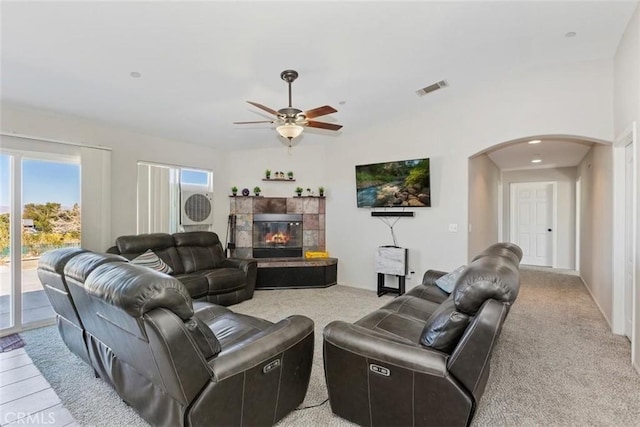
[{"x": 532, "y": 221}]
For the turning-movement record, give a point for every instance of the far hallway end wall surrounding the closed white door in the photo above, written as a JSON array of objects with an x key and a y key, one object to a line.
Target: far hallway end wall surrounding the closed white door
[{"x": 566, "y": 198}]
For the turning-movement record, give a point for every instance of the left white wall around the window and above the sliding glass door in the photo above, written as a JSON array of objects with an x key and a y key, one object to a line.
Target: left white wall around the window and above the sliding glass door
[{"x": 127, "y": 149}]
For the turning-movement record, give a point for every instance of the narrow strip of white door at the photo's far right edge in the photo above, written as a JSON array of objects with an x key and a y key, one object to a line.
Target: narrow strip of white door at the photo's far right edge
[{"x": 628, "y": 244}]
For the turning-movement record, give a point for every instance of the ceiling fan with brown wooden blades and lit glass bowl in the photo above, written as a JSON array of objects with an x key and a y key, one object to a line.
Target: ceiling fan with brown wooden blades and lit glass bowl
[{"x": 291, "y": 120}]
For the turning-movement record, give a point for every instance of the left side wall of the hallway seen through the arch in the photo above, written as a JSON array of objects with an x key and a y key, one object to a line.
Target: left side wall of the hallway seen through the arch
[{"x": 484, "y": 182}]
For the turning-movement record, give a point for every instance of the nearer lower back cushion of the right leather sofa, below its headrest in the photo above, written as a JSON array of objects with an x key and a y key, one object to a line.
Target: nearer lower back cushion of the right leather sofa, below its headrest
[{"x": 444, "y": 328}]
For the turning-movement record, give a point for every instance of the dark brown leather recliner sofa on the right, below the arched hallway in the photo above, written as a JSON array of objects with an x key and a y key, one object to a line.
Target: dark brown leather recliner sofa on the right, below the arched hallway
[{"x": 423, "y": 358}]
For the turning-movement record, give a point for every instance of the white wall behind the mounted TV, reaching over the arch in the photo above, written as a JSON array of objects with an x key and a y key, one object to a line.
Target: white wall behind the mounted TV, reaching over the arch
[{"x": 447, "y": 127}]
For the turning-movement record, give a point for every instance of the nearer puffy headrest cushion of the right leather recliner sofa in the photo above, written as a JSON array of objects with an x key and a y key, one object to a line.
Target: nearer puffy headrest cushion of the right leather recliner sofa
[{"x": 490, "y": 277}]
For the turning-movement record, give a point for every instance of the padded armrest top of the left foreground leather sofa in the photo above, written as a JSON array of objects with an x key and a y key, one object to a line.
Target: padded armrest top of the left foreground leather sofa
[{"x": 262, "y": 347}]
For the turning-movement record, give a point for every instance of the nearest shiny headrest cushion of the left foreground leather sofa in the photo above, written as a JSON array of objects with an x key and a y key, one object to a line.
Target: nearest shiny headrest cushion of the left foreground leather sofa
[{"x": 137, "y": 290}]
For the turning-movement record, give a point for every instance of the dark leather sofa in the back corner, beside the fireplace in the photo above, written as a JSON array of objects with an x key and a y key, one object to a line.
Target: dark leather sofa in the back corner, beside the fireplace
[{"x": 199, "y": 262}]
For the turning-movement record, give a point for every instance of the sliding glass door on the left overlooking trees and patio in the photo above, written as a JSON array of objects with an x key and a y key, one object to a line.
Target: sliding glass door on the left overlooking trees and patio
[{"x": 39, "y": 211}]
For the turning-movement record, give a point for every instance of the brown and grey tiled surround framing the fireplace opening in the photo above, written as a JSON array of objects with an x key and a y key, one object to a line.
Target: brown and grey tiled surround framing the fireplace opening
[{"x": 311, "y": 208}]
